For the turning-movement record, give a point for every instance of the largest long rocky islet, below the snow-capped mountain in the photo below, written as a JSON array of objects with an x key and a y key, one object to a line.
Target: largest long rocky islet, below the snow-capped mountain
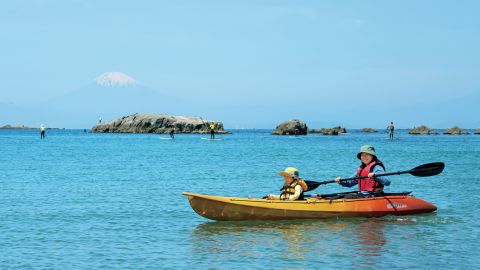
[{"x": 152, "y": 123}]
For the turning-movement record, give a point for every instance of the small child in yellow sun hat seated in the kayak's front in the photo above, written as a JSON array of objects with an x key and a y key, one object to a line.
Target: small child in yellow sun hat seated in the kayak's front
[{"x": 293, "y": 187}]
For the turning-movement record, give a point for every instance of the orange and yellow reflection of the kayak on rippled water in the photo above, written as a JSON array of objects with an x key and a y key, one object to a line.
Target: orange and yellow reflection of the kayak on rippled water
[{"x": 312, "y": 241}]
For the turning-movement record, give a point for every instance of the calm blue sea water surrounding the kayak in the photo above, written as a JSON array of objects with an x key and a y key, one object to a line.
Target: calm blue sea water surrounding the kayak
[{"x": 86, "y": 201}]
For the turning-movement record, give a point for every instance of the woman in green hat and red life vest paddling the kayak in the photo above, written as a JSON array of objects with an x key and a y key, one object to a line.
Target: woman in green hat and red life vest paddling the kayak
[{"x": 369, "y": 167}]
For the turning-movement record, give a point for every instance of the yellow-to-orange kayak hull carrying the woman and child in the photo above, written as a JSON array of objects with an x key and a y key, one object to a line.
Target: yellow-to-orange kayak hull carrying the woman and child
[{"x": 240, "y": 209}]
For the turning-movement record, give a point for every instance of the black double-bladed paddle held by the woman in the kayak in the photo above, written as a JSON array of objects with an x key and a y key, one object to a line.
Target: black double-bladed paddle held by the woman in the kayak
[{"x": 424, "y": 170}]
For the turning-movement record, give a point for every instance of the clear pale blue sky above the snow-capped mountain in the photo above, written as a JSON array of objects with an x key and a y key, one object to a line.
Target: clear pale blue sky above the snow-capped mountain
[{"x": 312, "y": 53}]
